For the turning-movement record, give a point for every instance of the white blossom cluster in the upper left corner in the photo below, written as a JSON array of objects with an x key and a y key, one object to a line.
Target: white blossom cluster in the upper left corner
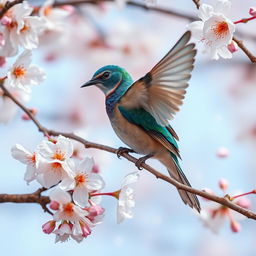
[{"x": 20, "y": 33}]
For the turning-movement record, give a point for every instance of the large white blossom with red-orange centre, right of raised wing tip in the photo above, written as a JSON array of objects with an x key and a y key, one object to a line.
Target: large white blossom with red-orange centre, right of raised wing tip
[{"x": 214, "y": 30}]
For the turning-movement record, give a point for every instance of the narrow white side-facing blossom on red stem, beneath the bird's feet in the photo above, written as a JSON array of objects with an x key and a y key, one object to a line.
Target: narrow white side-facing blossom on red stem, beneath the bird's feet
[{"x": 126, "y": 197}]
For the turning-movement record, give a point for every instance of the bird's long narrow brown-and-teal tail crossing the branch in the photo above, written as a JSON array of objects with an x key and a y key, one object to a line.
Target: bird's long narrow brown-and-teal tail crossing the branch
[{"x": 176, "y": 172}]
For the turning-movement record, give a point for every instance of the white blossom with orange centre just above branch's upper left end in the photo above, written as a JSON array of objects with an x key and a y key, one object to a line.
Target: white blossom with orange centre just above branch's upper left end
[{"x": 23, "y": 74}]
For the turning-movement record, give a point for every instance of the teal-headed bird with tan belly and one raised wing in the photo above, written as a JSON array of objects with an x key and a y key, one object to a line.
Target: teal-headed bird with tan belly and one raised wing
[{"x": 140, "y": 111}]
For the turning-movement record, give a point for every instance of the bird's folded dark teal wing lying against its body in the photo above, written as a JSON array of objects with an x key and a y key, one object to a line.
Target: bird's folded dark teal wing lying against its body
[{"x": 146, "y": 121}]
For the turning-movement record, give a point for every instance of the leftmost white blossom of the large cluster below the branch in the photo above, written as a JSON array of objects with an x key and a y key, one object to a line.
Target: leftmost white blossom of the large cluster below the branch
[{"x": 31, "y": 159}]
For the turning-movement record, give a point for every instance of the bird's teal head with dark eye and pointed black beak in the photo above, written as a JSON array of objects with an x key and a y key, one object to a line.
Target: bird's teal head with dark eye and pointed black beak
[{"x": 108, "y": 78}]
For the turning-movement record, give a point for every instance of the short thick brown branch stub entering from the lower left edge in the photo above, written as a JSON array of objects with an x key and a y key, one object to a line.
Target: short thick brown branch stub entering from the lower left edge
[{"x": 28, "y": 198}]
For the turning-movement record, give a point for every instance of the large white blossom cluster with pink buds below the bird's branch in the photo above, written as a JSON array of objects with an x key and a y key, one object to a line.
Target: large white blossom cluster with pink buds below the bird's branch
[{"x": 75, "y": 188}]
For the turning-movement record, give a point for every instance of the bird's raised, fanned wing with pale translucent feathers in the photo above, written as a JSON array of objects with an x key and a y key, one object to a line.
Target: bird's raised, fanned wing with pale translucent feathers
[{"x": 161, "y": 91}]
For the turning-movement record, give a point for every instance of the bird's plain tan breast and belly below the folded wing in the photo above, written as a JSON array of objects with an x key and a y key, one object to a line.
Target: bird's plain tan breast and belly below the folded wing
[{"x": 132, "y": 135}]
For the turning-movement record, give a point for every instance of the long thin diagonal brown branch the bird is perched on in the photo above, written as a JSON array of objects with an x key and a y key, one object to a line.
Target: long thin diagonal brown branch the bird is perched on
[{"x": 221, "y": 200}]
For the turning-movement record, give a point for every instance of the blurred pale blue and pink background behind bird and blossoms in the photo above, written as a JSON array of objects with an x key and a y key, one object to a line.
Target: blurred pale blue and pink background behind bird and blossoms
[{"x": 219, "y": 111}]
